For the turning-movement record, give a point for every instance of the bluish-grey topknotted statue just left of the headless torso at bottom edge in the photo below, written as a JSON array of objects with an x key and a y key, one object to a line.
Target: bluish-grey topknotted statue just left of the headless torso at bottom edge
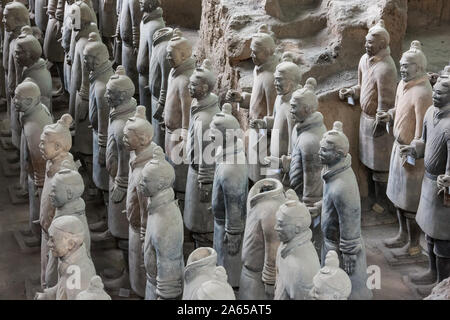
[{"x": 163, "y": 246}]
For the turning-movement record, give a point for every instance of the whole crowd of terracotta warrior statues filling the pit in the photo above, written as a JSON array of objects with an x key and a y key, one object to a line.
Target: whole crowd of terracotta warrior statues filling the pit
[{"x": 274, "y": 212}]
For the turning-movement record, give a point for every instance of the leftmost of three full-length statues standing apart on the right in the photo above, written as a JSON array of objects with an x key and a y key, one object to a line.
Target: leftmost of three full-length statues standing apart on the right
[{"x": 377, "y": 80}]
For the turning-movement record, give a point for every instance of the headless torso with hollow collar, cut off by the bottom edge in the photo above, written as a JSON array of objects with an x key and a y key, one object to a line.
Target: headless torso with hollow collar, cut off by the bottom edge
[{"x": 203, "y": 279}]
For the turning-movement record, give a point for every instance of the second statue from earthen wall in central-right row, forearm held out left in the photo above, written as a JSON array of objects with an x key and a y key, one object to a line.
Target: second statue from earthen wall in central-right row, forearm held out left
[{"x": 287, "y": 79}]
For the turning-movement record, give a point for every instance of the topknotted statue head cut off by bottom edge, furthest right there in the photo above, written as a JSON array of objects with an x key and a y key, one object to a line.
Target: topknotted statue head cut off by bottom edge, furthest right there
[{"x": 331, "y": 282}]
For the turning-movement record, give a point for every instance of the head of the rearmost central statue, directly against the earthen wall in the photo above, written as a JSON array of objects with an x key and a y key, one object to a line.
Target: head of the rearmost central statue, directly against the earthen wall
[{"x": 262, "y": 46}]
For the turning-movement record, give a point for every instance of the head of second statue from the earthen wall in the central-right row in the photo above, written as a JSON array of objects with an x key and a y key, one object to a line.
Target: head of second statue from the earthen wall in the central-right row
[{"x": 287, "y": 75}]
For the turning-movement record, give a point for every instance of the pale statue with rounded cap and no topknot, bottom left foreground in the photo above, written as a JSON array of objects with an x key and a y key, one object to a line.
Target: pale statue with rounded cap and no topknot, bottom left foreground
[{"x": 66, "y": 235}]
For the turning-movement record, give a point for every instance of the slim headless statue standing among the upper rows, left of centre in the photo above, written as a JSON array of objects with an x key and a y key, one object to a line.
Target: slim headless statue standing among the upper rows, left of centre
[{"x": 158, "y": 81}]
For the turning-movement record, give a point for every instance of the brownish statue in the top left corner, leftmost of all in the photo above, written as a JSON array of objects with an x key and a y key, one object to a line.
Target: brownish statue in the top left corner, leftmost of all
[{"x": 15, "y": 16}]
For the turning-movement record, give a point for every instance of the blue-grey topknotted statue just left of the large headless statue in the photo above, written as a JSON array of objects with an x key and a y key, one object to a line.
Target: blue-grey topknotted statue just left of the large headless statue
[{"x": 229, "y": 193}]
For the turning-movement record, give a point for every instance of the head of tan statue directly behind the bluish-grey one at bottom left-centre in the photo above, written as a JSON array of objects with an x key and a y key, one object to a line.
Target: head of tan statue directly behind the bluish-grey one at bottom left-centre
[{"x": 138, "y": 132}]
